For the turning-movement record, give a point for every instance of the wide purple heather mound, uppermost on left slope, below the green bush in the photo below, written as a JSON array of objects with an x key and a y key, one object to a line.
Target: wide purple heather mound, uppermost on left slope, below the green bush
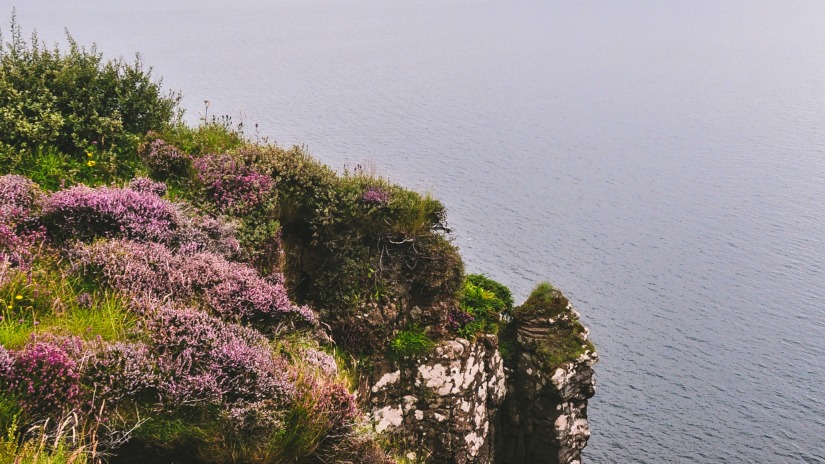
[{"x": 85, "y": 213}]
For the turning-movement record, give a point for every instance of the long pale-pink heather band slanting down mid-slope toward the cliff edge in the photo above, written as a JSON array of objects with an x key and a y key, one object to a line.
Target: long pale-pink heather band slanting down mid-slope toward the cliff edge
[{"x": 232, "y": 290}]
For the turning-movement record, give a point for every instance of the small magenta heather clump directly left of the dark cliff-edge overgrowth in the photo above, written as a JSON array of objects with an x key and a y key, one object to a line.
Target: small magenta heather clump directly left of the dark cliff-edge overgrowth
[{"x": 230, "y": 184}]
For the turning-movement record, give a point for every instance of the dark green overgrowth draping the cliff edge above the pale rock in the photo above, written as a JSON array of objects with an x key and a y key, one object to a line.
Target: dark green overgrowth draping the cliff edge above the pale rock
[{"x": 345, "y": 248}]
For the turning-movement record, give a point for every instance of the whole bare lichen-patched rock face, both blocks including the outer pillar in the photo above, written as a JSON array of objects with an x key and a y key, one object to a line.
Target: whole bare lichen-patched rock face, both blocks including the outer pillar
[{"x": 460, "y": 404}]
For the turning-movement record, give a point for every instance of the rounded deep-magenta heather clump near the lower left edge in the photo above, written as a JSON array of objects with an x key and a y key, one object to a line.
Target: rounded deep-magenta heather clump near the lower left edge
[{"x": 45, "y": 377}]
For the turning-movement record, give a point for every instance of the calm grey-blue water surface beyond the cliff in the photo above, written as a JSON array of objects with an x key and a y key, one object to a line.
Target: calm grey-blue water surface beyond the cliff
[{"x": 662, "y": 162}]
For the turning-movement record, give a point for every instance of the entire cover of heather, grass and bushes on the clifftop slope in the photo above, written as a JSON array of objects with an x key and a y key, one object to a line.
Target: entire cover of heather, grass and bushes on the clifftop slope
[{"x": 187, "y": 294}]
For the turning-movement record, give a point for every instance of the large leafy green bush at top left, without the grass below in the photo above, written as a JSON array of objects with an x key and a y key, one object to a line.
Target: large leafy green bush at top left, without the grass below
[{"x": 70, "y": 99}]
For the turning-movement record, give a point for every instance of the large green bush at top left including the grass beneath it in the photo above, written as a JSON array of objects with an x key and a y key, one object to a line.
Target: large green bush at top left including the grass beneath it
[{"x": 75, "y": 111}]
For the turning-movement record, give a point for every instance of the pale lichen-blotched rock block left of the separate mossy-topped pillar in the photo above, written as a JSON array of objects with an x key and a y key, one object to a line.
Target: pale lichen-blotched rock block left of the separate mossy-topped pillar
[{"x": 442, "y": 404}]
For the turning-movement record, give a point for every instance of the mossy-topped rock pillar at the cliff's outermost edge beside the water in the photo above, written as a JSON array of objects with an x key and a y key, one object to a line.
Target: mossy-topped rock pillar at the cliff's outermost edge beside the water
[{"x": 544, "y": 418}]
